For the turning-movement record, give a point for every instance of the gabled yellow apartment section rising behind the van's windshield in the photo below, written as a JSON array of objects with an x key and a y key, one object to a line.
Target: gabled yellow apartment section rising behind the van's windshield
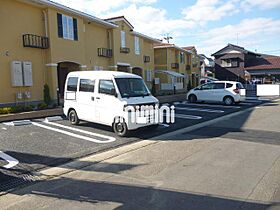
[{"x": 133, "y": 52}]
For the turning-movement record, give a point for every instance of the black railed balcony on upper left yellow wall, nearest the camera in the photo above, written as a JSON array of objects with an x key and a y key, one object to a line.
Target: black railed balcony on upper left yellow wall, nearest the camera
[{"x": 35, "y": 41}]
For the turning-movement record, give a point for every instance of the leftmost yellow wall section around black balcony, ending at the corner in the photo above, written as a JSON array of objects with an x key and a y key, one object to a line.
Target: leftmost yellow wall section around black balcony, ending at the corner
[{"x": 17, "y": 19}]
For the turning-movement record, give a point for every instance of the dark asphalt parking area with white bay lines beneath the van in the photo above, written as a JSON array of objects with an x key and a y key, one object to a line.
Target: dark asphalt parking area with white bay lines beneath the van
[{"x": 28, "y": 148}]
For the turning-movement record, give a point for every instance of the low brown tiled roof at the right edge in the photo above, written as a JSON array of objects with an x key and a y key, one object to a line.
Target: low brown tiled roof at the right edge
[{"x": 264, "y": 63}]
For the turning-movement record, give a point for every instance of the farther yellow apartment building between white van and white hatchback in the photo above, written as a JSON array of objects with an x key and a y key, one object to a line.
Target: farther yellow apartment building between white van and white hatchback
[{"x": 172, "y": 68}]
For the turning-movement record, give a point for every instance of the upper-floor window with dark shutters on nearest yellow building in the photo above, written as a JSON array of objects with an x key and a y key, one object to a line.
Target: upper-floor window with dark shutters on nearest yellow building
[{"x": 67, "y": 27}]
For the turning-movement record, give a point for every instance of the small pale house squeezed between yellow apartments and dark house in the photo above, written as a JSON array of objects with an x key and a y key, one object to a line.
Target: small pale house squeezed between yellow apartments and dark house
[{"x": 207, "y": 66}]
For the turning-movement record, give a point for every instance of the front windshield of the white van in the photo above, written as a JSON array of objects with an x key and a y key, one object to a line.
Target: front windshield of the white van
[{"x": 132, "y": 87}]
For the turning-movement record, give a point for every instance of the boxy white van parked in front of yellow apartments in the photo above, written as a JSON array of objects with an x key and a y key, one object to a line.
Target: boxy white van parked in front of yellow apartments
[{"x": 102, "y": 96}]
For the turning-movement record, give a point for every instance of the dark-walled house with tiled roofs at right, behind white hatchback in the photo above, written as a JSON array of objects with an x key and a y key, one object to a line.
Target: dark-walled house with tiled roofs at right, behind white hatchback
[{"x": 238, "y": 64}]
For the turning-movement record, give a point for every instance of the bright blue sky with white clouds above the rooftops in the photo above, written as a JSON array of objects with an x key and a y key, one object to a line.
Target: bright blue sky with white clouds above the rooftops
[{"x": 207, "y": 24}]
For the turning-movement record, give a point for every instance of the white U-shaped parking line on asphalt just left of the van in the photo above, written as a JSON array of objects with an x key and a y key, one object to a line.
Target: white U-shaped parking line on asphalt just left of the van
[{"x": 110, "y": 139}]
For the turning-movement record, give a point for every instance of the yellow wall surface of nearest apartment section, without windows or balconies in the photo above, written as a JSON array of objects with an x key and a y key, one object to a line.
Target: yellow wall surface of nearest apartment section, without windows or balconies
[{"x": 18, "y": 18}]
